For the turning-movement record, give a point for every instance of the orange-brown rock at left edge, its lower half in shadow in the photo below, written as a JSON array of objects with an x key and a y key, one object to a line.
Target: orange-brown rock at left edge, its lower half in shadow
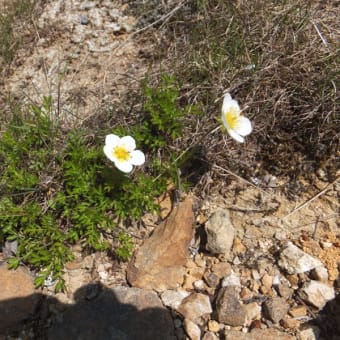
[{"x": 18, "y": 300}]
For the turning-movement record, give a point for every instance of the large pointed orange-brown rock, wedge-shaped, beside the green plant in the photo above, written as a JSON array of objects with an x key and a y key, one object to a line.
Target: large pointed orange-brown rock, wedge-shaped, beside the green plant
[{"x": 159, "y": 262}]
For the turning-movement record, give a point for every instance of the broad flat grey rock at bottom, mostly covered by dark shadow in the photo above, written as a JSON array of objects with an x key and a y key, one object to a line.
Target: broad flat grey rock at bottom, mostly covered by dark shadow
[{"x": 120, "y": 313}]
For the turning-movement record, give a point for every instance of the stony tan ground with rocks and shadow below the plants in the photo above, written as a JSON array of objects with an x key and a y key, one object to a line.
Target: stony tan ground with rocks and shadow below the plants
[{"x": 247, "y": 265}]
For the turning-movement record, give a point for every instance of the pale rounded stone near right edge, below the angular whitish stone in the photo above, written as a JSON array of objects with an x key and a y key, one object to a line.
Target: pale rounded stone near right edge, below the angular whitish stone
[{"x": 317, "y": 293}]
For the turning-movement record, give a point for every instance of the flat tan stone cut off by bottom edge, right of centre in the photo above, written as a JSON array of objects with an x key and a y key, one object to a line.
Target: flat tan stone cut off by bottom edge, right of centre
[{"x": 258, "y": 334}]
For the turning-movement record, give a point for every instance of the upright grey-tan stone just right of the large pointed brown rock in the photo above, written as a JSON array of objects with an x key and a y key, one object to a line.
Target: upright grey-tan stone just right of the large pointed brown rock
[{"x": 220, "y": 233}]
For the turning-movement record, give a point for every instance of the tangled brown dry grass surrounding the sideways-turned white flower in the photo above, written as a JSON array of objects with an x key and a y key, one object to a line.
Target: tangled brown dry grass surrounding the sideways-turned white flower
[{"x": 279, "y": 59}]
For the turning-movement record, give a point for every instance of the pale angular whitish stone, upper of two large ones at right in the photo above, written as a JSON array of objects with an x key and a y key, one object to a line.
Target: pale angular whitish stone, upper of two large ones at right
[{"x": 295, "y": 261}]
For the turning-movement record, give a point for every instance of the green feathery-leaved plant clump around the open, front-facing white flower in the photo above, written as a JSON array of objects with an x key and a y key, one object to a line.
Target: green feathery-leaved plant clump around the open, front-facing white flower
[{"x": 58, "y": 189}]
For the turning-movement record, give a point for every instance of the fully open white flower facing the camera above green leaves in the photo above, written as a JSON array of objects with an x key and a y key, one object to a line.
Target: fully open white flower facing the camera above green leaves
[{"x": 122, "y": 152}]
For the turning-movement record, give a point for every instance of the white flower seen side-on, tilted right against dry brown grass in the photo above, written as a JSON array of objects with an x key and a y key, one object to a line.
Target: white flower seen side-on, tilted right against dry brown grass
[{"x": 237, "y": 125}]
